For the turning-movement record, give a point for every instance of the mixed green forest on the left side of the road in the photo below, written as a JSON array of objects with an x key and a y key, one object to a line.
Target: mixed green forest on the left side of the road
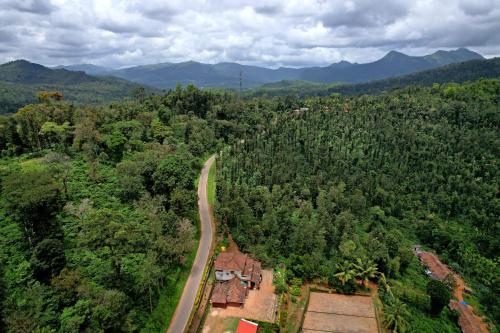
[{"x": 98, "y": 208}]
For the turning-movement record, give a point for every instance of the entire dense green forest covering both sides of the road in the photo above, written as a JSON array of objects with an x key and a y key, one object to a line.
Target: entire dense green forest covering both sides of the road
[{"x": 98, "y": 203}]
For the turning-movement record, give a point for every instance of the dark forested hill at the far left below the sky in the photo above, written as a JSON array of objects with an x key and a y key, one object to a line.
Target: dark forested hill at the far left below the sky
[{"x": 20, "y": 81}]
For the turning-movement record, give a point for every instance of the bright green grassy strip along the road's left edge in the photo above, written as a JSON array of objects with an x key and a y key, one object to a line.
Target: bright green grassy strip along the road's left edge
[{"x": 169, "y": 297}]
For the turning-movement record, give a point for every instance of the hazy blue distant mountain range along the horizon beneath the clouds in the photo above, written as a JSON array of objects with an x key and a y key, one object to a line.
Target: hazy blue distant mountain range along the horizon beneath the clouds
[{"x": 227, "y": 74}]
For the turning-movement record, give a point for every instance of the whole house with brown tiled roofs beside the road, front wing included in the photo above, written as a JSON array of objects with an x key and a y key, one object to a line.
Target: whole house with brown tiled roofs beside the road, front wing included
[{"x": 235, "y": 273}]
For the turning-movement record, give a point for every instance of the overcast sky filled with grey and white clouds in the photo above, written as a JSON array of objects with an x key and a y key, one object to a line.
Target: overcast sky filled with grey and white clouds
[{"x": 270, "y": 33}]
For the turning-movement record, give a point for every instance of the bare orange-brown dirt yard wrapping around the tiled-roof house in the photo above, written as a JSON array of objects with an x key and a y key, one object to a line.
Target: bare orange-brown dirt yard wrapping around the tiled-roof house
[{"x": 259, "y": 305}]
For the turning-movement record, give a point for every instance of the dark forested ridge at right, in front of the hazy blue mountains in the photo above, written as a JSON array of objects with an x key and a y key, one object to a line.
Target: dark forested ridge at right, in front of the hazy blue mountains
[{"x": 458, "y": 73}]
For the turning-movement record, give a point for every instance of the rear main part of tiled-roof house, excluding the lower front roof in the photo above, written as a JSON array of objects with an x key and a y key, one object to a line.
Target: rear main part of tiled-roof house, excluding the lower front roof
[{"x": 230, "y": 265}]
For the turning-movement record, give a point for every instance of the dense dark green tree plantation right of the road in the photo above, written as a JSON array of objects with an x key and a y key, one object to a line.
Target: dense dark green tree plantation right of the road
[{"x": 355, "y": 181}]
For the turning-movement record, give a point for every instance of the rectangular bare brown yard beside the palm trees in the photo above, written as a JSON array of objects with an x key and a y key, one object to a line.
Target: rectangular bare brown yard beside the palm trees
[{"x": 340, "y": 313}]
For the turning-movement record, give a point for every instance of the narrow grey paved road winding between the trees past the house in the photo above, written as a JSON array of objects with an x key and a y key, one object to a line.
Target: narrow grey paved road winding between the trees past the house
[{"x": 186, "y": 303}]
